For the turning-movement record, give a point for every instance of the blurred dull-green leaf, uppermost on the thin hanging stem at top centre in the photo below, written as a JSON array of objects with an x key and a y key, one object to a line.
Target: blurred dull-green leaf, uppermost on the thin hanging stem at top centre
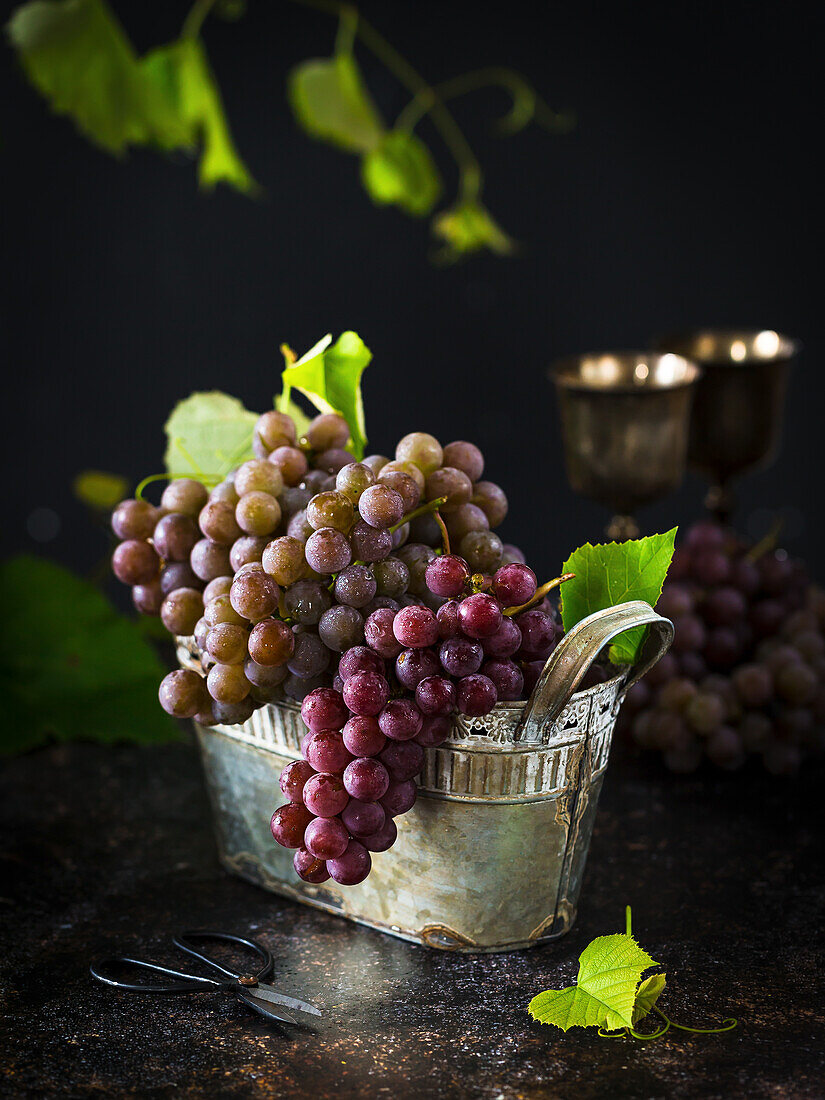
[{"x": 331, "y": 102}]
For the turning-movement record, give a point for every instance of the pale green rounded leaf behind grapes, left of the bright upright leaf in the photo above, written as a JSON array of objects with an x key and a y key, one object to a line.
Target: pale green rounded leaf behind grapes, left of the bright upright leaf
[{"x": 208, "y": 435}]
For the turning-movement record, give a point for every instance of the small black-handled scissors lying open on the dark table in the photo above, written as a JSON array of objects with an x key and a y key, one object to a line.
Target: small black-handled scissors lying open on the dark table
[{"x": 248, "y": 986}]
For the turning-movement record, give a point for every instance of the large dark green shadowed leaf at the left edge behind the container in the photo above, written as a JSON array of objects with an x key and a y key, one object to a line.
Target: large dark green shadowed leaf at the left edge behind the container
[{"x": 71, "y": 666}]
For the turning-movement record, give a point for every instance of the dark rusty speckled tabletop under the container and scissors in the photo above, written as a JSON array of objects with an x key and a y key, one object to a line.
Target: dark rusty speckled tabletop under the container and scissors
[{"x": 111, "y": 849}]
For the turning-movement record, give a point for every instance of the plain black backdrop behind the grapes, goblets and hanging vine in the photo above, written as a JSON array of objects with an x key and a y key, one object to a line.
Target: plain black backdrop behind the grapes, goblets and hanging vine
[{"x": 687, "y": 196}]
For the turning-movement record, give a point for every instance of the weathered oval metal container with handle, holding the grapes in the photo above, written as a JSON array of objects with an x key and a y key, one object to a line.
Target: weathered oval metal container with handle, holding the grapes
[{"x": 492, "y": 855}]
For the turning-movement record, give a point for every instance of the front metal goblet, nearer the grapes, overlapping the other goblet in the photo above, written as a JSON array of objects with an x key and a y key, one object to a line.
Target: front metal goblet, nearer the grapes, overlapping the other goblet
[{"x": 624, "y": 421}]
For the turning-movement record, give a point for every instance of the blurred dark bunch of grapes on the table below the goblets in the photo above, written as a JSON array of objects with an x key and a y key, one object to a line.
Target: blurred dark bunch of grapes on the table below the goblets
[{"x": 746, "y": 674}]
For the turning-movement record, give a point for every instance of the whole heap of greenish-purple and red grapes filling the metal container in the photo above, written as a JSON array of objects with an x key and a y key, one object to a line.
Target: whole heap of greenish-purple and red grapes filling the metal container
[{"x": 307, "y": 577}]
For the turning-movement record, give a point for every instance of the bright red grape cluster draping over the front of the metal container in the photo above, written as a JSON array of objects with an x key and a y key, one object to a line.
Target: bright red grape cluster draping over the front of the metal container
[{"x": 392, "y": 699}]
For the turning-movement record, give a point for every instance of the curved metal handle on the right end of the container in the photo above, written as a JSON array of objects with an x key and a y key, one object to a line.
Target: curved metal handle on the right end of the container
[{"x": 569, "y": 663}]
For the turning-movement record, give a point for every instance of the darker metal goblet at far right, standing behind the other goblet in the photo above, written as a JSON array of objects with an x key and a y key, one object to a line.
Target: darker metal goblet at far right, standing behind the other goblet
[{"x": 738, "y": 412}]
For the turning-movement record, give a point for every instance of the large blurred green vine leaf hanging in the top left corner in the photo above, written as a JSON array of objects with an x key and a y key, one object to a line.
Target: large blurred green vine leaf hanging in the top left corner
[{"x": 79, "y": 57}]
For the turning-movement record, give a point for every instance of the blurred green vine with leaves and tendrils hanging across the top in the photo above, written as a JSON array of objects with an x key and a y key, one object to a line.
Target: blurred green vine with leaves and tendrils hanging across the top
[{"x": 170, "y": 101}]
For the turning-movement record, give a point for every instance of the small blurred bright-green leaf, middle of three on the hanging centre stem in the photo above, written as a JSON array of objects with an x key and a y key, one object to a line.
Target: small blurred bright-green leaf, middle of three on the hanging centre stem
[{"x": 401, "y": 171}]
